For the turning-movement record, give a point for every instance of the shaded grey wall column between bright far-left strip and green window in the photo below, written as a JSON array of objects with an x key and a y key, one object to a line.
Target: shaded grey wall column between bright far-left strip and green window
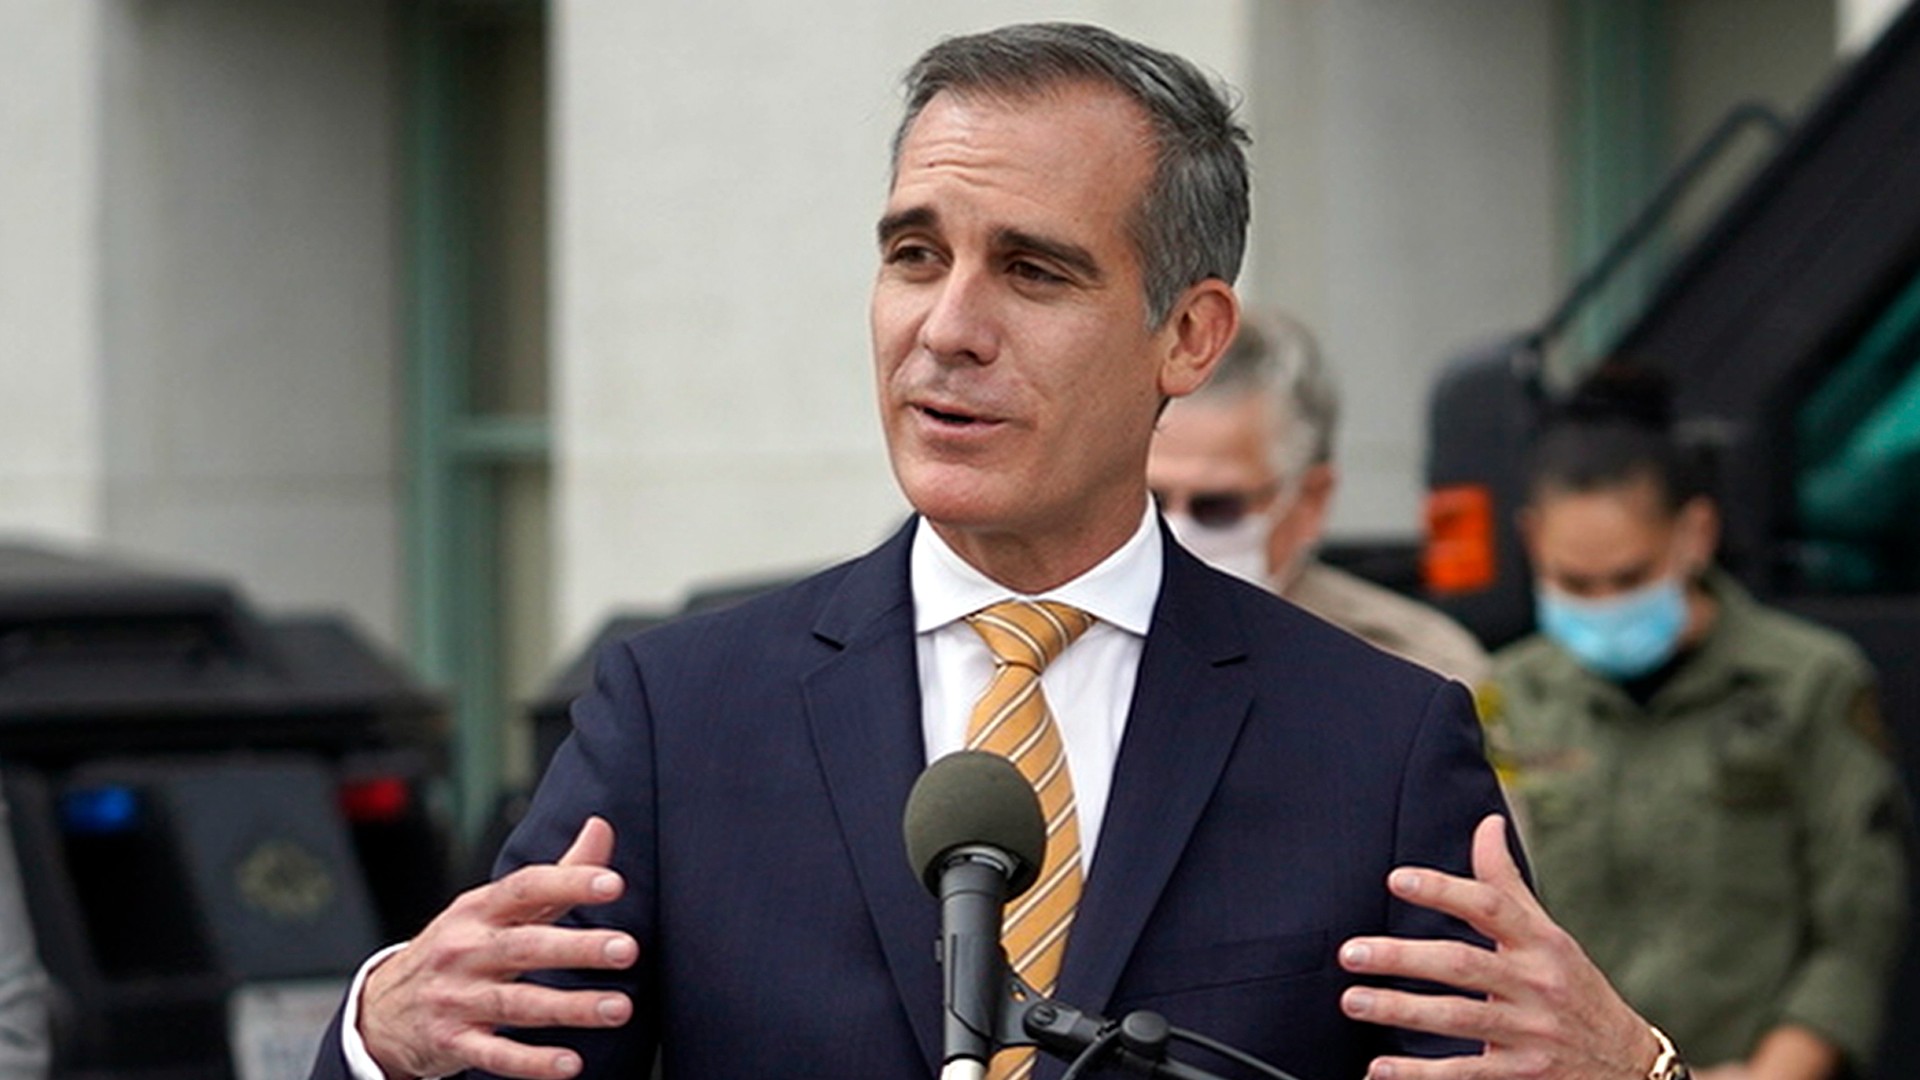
[{"x": 252, "y": 320}]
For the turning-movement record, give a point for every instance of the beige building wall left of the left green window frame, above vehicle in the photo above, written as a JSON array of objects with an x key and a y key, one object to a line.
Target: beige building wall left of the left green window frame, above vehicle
[{"x": 199, "y": 291}]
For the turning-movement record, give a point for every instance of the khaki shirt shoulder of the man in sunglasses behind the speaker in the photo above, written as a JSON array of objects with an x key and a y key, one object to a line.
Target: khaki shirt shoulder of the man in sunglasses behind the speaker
[{"x": 1389, "y": 622}]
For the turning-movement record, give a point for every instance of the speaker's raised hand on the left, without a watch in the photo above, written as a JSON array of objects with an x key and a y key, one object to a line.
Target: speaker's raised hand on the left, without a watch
[{"x": 431, "y": 1008}]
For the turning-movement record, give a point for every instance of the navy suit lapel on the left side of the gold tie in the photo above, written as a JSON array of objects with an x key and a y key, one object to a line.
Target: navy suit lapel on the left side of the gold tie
[{"x": 863, "y": 708}]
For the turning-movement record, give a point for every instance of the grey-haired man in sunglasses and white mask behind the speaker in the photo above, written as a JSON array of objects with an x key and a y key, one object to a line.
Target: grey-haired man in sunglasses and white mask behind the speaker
[{"x": 1245, "y": 476}]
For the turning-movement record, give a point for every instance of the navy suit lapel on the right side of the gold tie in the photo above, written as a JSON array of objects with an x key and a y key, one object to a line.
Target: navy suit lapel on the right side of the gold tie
[{"x": 1188, "y": 710}]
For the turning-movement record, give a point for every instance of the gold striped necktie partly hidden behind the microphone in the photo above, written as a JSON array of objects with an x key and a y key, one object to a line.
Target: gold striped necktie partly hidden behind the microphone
[{"x": 1013, "y": 720}]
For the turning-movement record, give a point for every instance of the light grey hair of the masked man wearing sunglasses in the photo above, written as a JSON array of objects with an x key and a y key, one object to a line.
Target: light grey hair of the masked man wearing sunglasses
[{"x": 1280, "y": 360}]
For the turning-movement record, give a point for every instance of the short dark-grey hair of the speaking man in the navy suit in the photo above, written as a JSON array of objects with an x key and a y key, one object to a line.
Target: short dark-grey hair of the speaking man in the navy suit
[{"x": 1191, "y": 222}]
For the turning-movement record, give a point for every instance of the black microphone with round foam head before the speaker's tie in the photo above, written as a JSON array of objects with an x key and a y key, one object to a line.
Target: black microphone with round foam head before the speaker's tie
[{"x": 976, "y": 835}]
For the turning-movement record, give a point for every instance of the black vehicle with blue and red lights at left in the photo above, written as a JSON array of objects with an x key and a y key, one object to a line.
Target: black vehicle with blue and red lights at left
[{"x": 218, "y": 816}]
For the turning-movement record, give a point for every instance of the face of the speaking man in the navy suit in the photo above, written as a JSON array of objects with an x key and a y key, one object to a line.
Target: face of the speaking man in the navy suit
[{"x": 1019, "y": 380}]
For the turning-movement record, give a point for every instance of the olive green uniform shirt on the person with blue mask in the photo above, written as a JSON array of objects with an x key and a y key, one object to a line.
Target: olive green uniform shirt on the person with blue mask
[{"x": 1733, "y": 852}]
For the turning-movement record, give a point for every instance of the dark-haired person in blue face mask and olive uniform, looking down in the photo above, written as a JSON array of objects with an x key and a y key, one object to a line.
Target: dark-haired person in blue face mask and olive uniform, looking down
[{"x": 1706, "y": 787}]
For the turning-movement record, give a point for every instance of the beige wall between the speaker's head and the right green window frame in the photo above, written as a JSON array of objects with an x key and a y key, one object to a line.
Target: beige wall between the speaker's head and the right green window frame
[{"x": 1406, "y": 209}]
